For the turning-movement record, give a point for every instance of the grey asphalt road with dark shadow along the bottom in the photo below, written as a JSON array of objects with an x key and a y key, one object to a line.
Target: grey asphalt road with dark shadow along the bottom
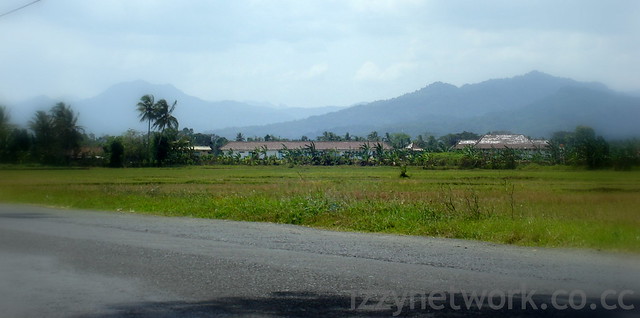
[{"x": 68, "y": 263}]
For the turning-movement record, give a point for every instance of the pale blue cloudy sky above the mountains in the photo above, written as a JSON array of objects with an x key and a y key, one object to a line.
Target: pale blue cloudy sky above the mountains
[{"x": 310, "y": 53}]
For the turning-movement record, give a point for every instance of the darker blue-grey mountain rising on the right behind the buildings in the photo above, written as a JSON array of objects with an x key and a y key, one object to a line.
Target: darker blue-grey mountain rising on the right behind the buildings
[{"x": 536, "y": 104}]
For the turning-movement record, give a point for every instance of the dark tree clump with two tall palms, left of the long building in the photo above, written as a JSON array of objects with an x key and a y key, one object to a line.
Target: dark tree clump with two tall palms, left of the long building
[{"x": 54, "y": 138}]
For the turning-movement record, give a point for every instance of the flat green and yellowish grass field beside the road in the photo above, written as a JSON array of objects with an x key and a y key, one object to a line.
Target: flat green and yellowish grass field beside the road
[{"x": 542, "y": 207}]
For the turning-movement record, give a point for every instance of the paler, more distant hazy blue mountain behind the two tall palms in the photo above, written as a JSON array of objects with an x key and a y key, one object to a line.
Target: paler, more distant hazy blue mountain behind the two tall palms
[{"x": 114, "y": 111}]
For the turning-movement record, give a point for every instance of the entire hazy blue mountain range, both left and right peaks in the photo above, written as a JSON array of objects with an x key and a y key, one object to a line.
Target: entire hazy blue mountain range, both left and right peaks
[{"x": 536, "y": 104}]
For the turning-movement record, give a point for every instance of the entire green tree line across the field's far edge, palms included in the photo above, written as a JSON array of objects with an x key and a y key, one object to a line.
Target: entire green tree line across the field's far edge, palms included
[{"x": 54, "y": 138}]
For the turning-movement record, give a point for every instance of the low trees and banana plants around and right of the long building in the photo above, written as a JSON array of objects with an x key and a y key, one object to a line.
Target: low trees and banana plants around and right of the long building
[{"x": 581, "y": 147}]
